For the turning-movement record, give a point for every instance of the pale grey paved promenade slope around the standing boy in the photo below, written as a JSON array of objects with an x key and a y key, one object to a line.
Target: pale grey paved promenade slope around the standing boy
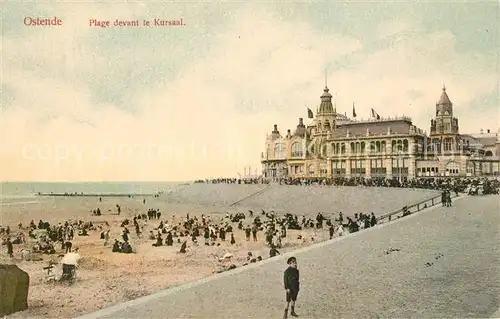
[{"x": 358, "y": 277}]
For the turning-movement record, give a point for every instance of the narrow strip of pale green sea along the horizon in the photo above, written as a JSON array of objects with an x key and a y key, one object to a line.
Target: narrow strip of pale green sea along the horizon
[{"x": 28, "y": 190}]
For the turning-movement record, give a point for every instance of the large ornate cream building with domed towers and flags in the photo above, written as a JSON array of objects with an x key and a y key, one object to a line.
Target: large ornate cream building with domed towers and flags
[{"x": 334, "y": 145}]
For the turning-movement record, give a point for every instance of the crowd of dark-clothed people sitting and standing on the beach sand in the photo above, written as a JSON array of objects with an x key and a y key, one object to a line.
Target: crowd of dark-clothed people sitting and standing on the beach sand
[{"x": 208, "y": 230}]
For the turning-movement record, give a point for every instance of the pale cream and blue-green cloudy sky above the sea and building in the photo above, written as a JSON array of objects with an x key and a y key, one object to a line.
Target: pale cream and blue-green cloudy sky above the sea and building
[{"x": 178, "y": 103}]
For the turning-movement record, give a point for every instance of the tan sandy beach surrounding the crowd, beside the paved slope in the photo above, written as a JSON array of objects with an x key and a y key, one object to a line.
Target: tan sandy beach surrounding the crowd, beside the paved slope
[{"x": 105, "y": 278}]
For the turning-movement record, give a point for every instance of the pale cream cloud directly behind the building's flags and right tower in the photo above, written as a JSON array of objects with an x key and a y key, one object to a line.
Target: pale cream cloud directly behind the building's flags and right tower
[{"x": 387, "y": 79}]
